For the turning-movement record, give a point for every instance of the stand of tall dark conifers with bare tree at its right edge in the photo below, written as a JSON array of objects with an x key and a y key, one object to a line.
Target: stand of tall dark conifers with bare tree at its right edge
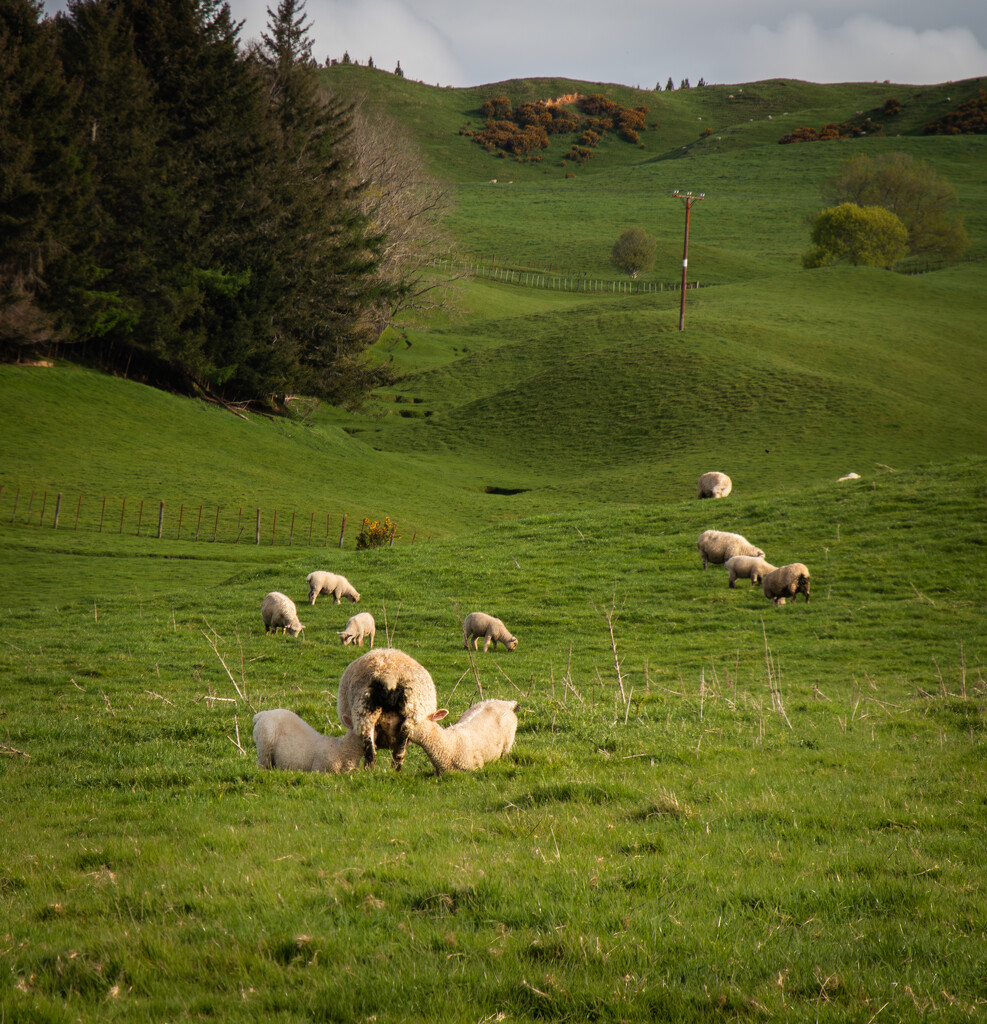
[{"x": 195, "y": 212}]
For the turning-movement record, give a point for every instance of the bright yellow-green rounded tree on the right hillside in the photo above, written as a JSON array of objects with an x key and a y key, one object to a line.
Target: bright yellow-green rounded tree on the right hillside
[{"x": 865, "y": 236}]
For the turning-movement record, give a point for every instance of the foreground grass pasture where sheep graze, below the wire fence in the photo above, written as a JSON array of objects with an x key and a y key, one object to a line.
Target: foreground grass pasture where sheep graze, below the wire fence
[{"x": 783, "y": 817}]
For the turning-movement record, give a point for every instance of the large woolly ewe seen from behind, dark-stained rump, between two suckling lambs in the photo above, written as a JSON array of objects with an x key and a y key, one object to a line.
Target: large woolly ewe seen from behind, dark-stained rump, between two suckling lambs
[{"x": 384, "y": 680}]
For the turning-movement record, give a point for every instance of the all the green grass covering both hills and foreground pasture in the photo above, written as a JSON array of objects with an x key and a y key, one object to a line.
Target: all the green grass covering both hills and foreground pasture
[{"x": 715, "y": 808}]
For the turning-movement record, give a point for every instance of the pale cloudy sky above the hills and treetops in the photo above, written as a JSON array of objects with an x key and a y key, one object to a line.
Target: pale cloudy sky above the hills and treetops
[{"x": 645, "y": 44}]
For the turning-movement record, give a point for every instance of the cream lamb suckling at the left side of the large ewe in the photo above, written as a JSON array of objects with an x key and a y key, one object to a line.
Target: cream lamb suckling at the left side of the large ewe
[{"x": 285, "y": 741}]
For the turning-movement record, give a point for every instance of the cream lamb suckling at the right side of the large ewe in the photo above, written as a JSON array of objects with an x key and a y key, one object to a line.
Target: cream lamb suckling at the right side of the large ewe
[{"x": 485, "y": 733}]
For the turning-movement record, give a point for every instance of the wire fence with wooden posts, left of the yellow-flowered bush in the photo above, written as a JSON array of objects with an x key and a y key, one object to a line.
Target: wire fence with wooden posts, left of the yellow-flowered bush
[{"x": 40, "y": 507}]
